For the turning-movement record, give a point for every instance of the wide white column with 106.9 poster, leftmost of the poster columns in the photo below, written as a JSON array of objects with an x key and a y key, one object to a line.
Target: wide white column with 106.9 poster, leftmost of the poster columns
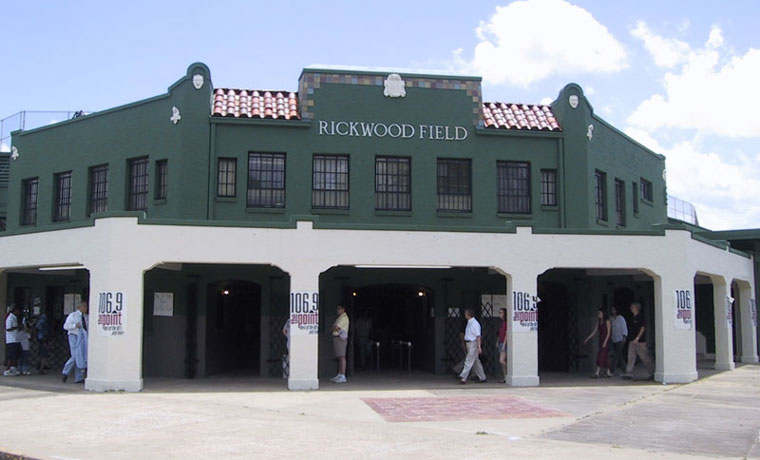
[{"x": 115, "y": 326}]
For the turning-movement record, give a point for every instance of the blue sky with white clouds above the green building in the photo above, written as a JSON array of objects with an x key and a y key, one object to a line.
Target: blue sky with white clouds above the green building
[{"x": 678, "y": 76}]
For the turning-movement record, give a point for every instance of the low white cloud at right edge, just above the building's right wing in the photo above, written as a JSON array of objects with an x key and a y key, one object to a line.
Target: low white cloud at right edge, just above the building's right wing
[{"x": 725, "y": 194}]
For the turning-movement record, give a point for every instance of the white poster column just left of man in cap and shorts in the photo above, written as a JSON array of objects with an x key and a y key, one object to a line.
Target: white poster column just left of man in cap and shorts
[{"x": 304, "y": 328}]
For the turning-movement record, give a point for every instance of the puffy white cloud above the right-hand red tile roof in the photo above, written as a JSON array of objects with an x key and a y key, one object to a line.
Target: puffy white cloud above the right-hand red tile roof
[{"x": 529, "y": 40}]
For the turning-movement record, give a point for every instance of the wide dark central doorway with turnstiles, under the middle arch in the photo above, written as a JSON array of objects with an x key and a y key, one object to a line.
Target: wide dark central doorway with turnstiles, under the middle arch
[{"x": 387, "y": 314}]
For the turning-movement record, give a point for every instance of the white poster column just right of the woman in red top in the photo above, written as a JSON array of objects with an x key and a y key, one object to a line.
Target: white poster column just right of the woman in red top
[{"x": 522, "y": 329}]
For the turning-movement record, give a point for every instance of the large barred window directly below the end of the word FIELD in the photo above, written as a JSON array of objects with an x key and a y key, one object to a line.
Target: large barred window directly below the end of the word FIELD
[{"x": 454, "y": 185}]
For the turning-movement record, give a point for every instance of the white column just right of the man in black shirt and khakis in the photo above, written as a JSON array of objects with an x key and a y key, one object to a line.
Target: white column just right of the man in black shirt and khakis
[{"x": 675, "y": 328}]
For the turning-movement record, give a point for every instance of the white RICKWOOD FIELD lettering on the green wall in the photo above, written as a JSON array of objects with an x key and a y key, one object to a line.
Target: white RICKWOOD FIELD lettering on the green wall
[{"x": 393, "y": 130}]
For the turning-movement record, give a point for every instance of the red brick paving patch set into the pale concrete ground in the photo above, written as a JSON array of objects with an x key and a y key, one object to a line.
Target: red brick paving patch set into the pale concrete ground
[{"x": 457, "y": 408}]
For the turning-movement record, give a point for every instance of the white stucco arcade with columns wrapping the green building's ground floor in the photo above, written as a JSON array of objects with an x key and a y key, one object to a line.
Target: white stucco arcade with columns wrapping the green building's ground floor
[{"x": 117, "y": 252}]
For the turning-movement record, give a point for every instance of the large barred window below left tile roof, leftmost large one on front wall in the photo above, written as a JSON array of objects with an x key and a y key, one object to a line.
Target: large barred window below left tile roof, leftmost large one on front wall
[{"x": 266, "y": 180}]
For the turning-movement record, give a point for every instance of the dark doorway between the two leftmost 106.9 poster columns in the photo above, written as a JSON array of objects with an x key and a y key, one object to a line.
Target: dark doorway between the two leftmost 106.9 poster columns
[{"x": 233, "y": 327}]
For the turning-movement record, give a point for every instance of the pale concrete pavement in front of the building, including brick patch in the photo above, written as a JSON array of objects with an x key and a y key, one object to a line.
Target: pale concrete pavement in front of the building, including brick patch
[{"x": 398, "y": 417}]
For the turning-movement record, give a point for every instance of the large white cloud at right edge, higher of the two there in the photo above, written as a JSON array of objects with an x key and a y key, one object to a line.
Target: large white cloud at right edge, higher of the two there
[{"x": 710, "y": 89}]
